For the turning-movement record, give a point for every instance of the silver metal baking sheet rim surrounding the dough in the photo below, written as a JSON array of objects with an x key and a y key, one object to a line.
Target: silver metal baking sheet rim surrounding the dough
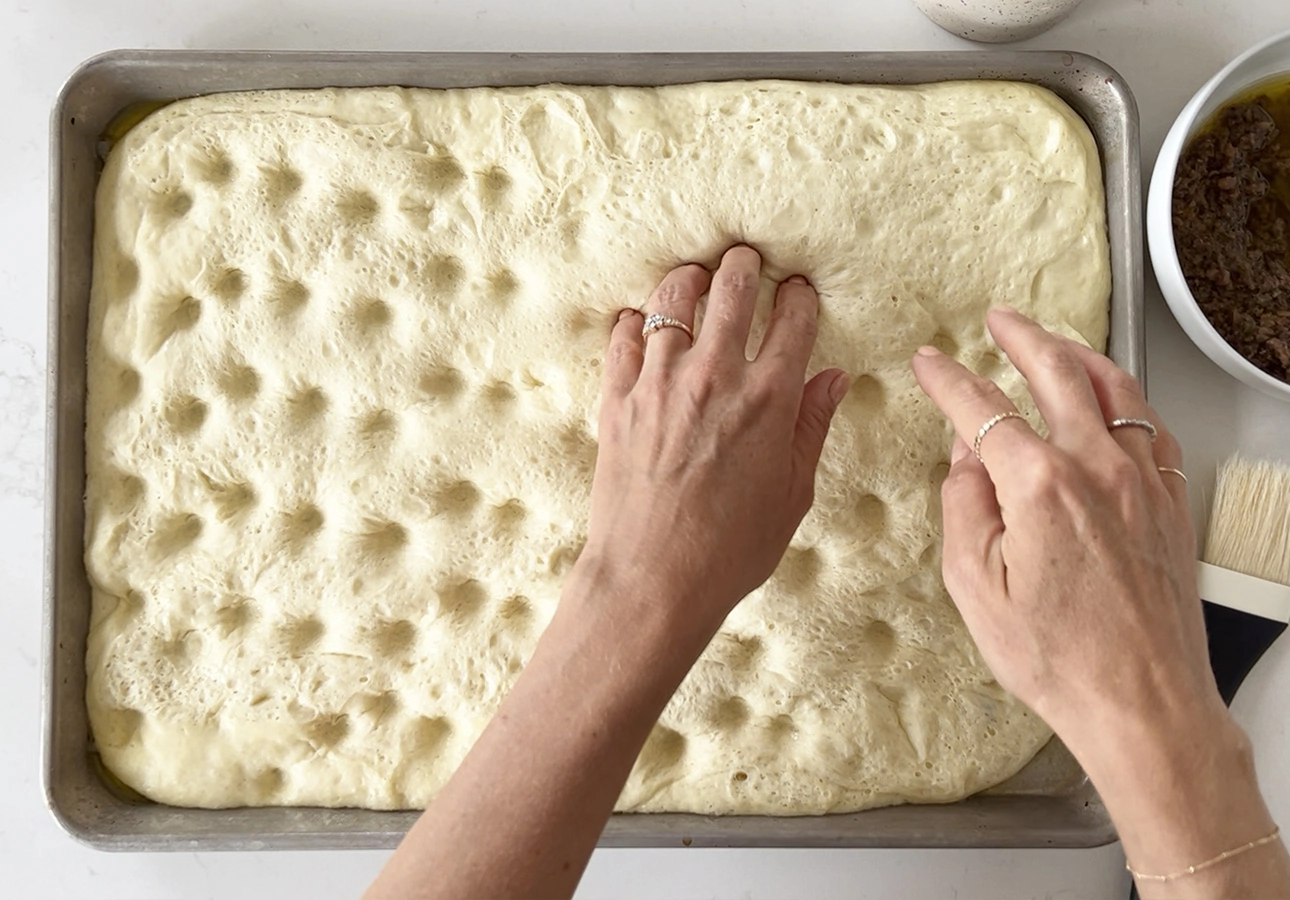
[{"x": 1051, "y": 804}]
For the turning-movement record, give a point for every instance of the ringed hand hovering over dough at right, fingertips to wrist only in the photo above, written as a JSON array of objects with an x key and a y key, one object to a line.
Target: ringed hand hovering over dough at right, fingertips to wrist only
[{"x": 1071, "y": 559}]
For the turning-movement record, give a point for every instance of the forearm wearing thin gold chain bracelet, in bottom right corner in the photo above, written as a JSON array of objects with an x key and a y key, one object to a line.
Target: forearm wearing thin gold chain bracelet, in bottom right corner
[{"x": 1184, "y": 794}]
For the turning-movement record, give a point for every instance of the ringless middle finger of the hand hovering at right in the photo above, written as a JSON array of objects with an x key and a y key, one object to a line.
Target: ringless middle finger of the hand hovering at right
[{"x": 1056, "y": 378}]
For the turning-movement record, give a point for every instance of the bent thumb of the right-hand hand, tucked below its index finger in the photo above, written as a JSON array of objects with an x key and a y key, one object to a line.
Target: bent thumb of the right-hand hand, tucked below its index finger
[{"x": 973, "y": 527}]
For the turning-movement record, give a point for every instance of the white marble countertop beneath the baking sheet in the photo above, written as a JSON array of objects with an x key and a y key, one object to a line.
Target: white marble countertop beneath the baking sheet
[{"x": 1164, "y": 48}]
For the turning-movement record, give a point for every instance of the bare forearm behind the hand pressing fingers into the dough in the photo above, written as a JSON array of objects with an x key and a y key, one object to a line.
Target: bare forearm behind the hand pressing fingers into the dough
[{"x": 523, "y": 813}]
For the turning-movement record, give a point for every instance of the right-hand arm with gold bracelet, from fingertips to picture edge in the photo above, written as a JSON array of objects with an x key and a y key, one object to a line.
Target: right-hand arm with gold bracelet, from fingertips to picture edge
[{"x": 1073, "y": 563}]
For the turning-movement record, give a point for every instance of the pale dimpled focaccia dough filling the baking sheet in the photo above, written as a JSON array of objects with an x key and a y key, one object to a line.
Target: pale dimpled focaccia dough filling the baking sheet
[{"x": 344, "y": 371}]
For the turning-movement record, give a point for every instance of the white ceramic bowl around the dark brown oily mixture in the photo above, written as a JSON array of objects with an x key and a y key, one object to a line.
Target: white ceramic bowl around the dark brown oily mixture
[{"x": 1270, "y": 59}]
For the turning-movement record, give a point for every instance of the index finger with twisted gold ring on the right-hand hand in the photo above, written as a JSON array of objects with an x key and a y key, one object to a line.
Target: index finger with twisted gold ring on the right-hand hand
[{"x": 971, "y": 402}]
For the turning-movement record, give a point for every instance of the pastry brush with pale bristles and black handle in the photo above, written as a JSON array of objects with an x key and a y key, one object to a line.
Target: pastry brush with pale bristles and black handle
[{"x": 1244, "y": 576}]
